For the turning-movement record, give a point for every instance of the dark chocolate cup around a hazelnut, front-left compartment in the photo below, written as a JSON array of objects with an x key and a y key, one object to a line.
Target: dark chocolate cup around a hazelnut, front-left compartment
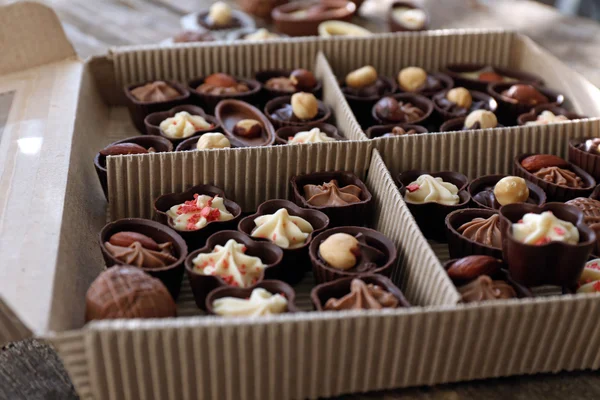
[{"x": 323, "y": 272}]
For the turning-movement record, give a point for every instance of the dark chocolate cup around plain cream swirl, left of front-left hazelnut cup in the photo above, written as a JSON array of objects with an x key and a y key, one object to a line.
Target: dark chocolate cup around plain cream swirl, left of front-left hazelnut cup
[{"x": 295, "y": 261}]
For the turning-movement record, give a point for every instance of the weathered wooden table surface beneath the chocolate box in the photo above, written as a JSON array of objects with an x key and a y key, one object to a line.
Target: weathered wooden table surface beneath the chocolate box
[{"x": 31, "y": 370}]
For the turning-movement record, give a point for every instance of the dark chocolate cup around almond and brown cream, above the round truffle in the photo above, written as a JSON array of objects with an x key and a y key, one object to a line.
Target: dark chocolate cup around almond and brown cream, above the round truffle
[{"x": 170, "y": 275}]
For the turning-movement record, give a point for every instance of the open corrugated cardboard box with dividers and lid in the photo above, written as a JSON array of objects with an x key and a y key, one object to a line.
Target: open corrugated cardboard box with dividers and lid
[{"x": 62, "y": 110}]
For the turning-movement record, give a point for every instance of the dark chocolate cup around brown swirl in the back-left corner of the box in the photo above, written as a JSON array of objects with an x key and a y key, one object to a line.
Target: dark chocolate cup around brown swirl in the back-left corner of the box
[{"x": 139, "y": 110}]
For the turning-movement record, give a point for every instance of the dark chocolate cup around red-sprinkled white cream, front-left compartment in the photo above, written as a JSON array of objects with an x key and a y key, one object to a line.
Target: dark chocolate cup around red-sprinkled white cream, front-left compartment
[{"x": 196, "y": 239}]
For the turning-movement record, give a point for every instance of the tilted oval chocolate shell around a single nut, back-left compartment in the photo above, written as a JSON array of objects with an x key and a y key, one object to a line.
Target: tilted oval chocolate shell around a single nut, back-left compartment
[{"x": 230, "y": 112}]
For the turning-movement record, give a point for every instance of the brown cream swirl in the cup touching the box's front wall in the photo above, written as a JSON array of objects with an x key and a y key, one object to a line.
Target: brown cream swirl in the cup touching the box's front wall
[{"x": 363, "y": 296}]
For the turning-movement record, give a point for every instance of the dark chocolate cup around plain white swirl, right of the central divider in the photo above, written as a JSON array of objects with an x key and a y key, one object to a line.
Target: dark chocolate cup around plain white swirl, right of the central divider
[{"x": 431, "y": 216}]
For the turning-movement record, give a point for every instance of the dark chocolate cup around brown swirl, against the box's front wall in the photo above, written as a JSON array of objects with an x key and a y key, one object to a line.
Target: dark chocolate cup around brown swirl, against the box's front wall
[{"x": 341, "y": 287}]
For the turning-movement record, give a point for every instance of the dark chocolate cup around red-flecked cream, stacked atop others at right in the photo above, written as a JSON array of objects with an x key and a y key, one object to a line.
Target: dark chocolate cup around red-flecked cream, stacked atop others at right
[{"x": 554, "y": 263}]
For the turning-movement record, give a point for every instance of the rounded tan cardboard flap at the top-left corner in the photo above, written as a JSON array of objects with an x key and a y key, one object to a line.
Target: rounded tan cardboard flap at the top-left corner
[{"x": 31, "y": 35}]
